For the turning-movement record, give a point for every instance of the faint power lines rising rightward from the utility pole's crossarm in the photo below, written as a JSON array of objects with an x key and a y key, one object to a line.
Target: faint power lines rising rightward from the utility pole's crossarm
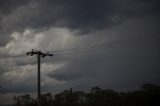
[{"x": 105, "y": 46}]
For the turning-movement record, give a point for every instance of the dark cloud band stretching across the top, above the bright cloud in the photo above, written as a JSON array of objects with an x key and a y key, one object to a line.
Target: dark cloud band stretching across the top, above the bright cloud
[{"x": 84, "y": 15}]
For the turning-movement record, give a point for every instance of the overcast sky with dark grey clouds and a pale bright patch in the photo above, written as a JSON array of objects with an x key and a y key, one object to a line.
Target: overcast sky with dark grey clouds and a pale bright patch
[{"x": 107, "y": 43}]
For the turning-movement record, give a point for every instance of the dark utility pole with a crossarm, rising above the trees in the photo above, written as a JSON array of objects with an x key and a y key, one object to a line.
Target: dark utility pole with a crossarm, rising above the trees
[{"x": 38, "y": 54}]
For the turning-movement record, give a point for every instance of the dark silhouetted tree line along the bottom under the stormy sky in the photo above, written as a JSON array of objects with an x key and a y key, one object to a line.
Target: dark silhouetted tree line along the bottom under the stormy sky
[{"x": 148, "y": 95}]
